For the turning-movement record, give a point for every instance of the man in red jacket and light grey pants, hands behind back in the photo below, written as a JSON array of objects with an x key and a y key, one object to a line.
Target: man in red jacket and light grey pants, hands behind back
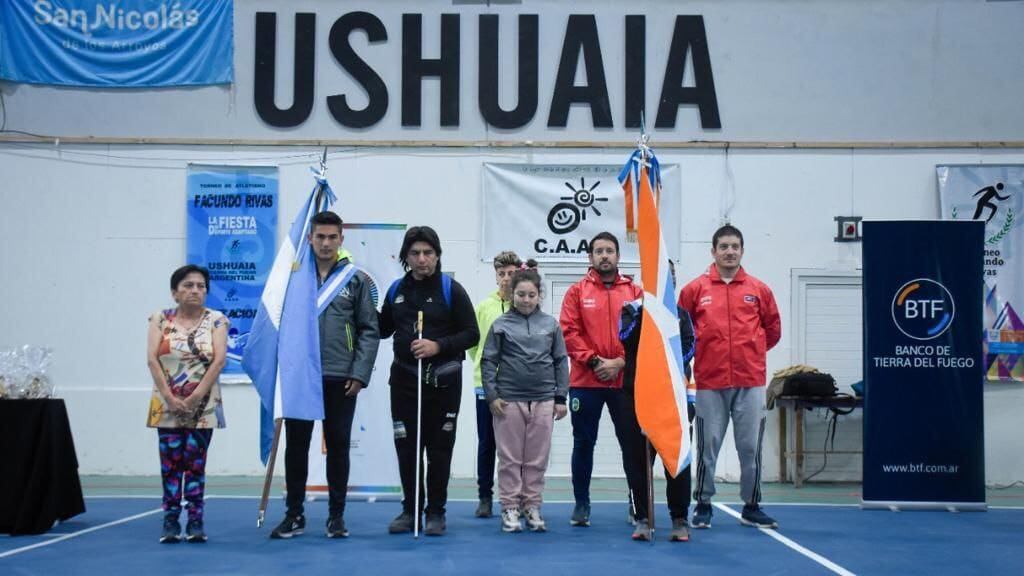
[{"x": 737, "y": 323}]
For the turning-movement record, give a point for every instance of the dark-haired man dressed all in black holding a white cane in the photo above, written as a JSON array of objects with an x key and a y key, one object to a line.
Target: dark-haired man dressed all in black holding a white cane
[{"x": 434, "y": 324}]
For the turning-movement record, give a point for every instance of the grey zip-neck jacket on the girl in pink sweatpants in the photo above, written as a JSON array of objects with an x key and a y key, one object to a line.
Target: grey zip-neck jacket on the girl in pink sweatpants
[{"x": 525, "y": 359}]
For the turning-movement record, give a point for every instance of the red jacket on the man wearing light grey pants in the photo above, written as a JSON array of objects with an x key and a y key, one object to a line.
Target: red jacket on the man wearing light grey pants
[{"x": 736, "y": 324}]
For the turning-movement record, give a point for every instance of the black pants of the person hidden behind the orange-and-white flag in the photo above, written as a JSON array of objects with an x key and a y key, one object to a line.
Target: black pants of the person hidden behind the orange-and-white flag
[{"x": 677, "y": 490}]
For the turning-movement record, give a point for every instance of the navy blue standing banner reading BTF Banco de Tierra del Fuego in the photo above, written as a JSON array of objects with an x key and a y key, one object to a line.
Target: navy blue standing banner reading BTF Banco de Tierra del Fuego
[{"x": 924, "y": 417}]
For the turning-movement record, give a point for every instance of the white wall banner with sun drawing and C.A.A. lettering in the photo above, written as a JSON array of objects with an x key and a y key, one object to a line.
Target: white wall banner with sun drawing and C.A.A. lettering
[{"x": 551, "y": 213}]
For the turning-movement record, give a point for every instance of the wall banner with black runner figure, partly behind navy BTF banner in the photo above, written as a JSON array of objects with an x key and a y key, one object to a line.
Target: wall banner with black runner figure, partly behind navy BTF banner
[{"x": 995, "y": 194}]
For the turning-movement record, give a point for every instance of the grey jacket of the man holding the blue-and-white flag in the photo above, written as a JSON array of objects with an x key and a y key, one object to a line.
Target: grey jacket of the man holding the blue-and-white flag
[{"x": 349, "y": 332}]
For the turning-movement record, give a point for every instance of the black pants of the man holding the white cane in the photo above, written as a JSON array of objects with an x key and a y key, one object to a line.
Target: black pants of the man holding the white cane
[{"x": 441, "y": 413}]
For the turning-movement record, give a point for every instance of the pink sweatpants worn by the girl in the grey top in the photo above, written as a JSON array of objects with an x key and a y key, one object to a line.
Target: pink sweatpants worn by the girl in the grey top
[{"x": 524, "y": 439}]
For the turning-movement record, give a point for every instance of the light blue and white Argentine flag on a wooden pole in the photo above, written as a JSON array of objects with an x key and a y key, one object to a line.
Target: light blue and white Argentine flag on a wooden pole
[{"x": 282, "y": 356}]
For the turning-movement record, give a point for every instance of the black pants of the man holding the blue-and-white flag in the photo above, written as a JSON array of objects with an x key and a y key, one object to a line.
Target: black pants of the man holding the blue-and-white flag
[{"x": 338, "y": 412}]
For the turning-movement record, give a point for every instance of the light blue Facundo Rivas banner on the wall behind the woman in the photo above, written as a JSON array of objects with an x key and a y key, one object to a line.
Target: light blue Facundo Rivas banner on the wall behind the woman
[{"x": 233, "y": 227}]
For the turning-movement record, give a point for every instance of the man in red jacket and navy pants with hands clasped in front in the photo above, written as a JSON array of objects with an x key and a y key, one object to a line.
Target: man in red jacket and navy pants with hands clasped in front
[{"x": 590, "y": 323}]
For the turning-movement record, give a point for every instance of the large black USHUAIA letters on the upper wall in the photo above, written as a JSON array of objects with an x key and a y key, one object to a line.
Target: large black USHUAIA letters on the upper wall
[{"x": 581, "y": 47}]
